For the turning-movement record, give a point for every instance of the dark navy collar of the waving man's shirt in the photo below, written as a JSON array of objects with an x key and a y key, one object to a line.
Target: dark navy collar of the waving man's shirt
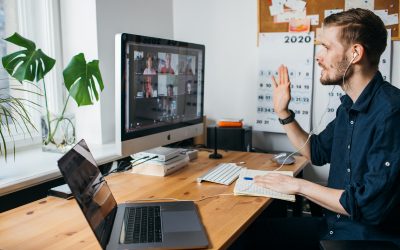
[{"x": 365, "y": 98}]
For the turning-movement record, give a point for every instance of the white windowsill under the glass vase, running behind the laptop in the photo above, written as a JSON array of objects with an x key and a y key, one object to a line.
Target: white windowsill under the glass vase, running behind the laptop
[{"x": 32, "y": 166}]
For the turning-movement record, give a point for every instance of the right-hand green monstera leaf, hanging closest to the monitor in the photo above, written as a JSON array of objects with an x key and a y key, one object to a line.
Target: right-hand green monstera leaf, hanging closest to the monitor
[{"x": 83, "y": 80}]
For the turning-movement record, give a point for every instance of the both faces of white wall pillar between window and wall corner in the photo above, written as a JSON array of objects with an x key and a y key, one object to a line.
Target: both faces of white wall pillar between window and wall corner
[{"x": 90, "y": 26}]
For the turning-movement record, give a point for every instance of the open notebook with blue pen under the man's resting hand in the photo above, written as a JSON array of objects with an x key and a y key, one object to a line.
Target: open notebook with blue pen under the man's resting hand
[{"x": 244, "y": 186}]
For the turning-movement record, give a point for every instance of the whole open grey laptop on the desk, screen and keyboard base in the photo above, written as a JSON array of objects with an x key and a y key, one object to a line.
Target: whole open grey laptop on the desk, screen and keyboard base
[{"x": 170, "y": 225}]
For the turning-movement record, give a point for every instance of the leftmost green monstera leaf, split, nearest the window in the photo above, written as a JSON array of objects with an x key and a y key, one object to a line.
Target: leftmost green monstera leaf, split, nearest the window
[{"x": 28, "y": 64}]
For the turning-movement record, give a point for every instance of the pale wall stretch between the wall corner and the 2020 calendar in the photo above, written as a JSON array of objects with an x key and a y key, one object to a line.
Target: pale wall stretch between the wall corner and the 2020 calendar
[{"x": 229, "y": 31}]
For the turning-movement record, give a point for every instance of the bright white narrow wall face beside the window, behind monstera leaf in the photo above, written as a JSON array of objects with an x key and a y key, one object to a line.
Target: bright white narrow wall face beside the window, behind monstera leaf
[{"x": 79, "y": 34}]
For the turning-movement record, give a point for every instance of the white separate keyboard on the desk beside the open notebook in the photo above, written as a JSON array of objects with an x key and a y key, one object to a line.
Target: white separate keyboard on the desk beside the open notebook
[{"x": 223, "y": 173}]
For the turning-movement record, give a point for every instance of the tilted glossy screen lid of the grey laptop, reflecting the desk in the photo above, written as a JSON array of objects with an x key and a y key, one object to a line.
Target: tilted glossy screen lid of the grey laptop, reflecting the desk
[{"x": 90, "y": 189}]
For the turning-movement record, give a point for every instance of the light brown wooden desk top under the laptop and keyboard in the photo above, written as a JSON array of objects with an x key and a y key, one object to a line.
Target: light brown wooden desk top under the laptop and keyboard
[{"x": 54, "y": 223}]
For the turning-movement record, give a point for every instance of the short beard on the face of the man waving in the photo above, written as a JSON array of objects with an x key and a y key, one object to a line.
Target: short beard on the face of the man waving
[{"x": 337, "y": 79}]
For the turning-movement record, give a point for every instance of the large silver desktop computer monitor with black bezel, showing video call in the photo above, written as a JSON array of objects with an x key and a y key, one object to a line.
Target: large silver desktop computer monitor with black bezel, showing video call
[{"x": 159, "y": 87}]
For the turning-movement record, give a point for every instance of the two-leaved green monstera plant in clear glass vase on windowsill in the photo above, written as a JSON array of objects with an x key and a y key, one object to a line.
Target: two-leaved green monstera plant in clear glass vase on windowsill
[{"x": 82, "y": 80}]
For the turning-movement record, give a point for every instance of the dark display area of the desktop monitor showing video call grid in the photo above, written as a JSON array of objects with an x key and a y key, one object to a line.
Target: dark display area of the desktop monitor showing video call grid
[{"x": 163, "y": 83}]
